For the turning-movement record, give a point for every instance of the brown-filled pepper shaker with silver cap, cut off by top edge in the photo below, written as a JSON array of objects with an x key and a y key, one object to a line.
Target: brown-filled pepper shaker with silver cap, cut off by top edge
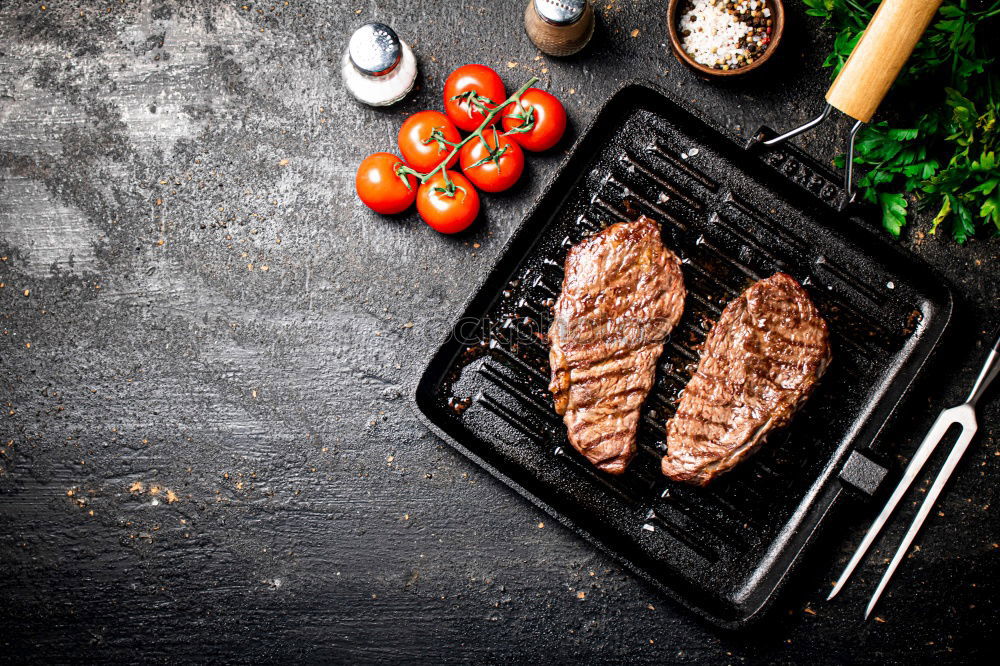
[{"x": 559, "y": 27}]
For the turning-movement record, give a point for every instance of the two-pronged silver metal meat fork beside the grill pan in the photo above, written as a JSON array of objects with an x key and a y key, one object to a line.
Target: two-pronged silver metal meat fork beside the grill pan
[{"x": 964, "y": 416}]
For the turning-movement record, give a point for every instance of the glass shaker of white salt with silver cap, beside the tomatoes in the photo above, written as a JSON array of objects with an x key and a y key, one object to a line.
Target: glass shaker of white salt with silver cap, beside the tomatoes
[{"x": 378, "y": 67}]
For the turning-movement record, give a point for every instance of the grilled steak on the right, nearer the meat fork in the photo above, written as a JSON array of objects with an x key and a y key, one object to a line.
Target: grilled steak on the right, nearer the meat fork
[{"x": 758, "y": 365}]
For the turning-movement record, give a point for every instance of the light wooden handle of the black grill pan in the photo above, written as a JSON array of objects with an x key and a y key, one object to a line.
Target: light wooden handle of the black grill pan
[{"x": 879, "y": 56}]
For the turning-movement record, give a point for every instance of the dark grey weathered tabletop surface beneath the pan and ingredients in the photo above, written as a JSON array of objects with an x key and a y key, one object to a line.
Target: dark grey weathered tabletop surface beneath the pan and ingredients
[{"x": 206, "y": 452}]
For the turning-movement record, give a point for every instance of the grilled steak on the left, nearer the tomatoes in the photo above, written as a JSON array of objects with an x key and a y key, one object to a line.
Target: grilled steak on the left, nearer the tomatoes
[{"x": 622, "y": 294}]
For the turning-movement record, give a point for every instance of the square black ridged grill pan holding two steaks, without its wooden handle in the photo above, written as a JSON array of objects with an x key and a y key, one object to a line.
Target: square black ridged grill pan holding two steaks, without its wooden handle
[{"x": 733, "y": 217}]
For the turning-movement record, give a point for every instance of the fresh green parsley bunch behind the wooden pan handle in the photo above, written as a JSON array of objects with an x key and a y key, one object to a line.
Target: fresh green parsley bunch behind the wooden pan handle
[{"x": 942, "y": 152}]
